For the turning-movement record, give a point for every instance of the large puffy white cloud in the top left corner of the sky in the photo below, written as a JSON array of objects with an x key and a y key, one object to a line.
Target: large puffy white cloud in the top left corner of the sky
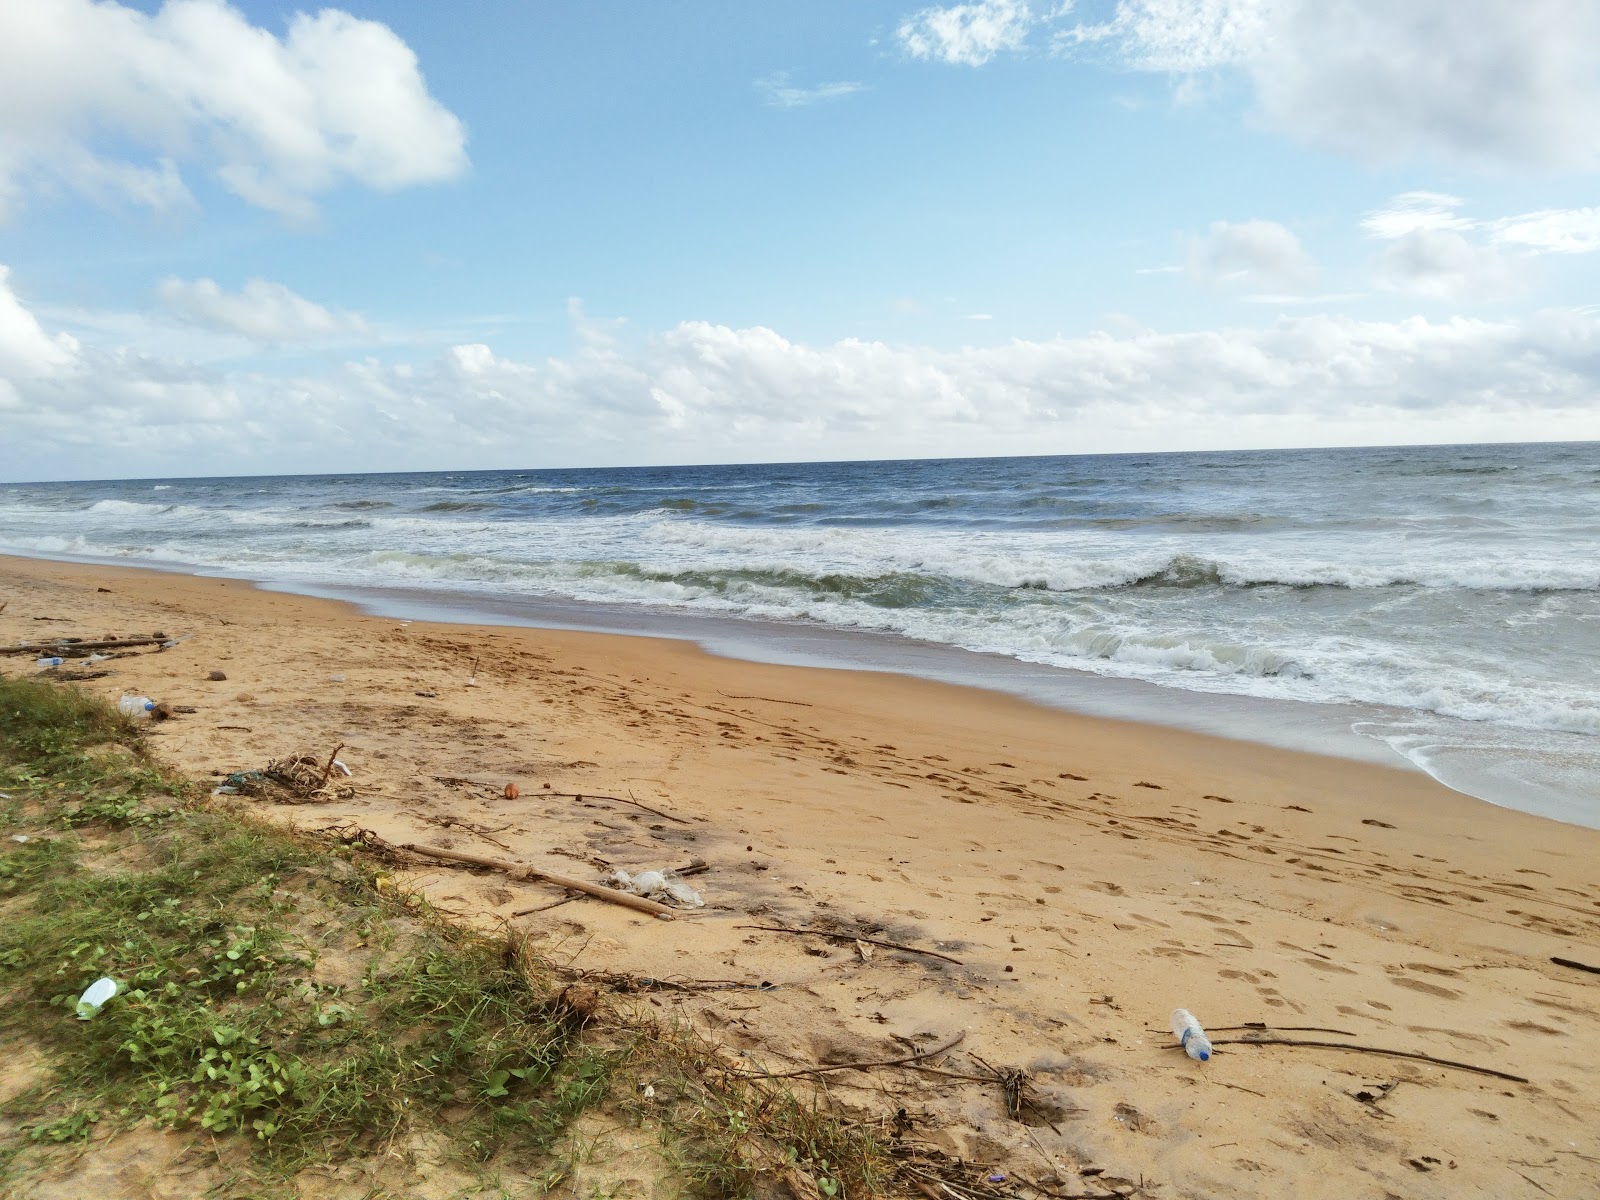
[{"x": 108, "y": 102}]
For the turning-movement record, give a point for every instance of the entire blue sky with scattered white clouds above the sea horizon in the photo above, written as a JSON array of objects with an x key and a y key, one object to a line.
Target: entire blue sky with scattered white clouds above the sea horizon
[{"x": 262, "y": 239}]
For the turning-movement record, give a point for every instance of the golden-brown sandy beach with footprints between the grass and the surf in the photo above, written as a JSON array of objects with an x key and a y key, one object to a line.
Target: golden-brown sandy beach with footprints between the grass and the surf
[{"x": 1087, "y": 876}]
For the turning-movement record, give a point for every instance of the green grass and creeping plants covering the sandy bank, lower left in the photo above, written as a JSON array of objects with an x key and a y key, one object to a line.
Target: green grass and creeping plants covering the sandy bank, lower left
[{"x": 286, "y": 1009}]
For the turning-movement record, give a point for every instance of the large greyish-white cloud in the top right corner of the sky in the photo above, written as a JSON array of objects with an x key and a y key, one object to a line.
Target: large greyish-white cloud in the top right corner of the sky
[{"x": 1484, "y": 82}]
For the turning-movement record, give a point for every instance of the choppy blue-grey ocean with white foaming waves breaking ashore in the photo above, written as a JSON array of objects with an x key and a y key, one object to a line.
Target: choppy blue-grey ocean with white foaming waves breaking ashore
[{"x": 1434, "y": 606}]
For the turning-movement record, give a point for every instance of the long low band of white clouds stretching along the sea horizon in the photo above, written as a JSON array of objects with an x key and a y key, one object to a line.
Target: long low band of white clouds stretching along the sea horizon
[{"x": 706, "y": 391}]
